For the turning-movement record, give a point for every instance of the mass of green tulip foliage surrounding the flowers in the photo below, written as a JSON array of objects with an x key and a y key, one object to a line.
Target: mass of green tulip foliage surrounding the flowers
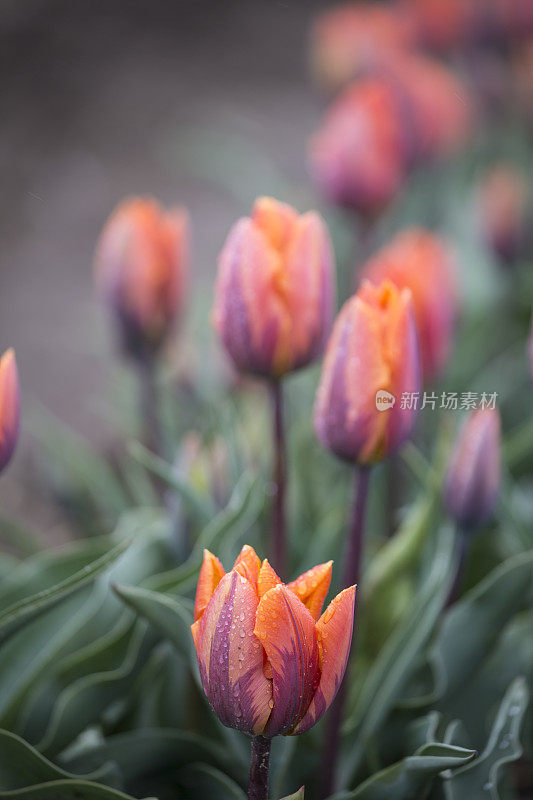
[{"x": 99, "y": 690}]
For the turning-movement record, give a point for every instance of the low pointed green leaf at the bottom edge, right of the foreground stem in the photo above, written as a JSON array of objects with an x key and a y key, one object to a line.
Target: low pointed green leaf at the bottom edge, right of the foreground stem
[{"x": 412, "y": 776}]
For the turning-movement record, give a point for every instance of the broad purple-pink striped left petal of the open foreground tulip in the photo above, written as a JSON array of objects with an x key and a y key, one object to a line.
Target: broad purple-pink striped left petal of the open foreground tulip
[{"x": 230, "y": 657}]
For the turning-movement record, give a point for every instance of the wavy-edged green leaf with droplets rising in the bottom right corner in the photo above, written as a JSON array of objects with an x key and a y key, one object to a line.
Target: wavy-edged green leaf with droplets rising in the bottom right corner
[{"x": 479, "y": 780}]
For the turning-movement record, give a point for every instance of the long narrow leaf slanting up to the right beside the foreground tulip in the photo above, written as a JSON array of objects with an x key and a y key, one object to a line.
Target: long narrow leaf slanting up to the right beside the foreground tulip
[{"x": 398, "y": 657}]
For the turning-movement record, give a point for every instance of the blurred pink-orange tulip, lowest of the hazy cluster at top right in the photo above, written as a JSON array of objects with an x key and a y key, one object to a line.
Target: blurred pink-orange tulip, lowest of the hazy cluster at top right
[{"x": 358, "y": 156}]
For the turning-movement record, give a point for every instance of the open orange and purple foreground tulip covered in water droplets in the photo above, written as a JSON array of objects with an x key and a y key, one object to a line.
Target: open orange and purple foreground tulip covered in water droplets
[{"x": 269, "y": 661}]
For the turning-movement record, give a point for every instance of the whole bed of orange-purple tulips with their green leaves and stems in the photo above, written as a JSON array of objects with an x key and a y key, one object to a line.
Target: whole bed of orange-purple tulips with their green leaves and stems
[{"x": 301, "y": 565}]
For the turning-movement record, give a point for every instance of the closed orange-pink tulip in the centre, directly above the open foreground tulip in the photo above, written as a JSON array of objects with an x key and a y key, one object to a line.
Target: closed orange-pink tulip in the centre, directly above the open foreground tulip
[{"x": 275, "y": 289}]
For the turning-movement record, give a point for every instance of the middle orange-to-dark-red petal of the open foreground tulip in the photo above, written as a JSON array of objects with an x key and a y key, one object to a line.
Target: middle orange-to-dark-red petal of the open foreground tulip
[{"x": 286, "y": 630}]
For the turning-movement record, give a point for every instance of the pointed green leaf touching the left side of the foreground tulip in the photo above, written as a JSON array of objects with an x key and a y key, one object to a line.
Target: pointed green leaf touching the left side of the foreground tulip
[{"x": 169, "y": 615}]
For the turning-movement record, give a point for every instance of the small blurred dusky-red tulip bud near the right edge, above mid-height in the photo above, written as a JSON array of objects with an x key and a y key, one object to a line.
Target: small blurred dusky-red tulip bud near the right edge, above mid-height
[{"x": 502, "y": 207}]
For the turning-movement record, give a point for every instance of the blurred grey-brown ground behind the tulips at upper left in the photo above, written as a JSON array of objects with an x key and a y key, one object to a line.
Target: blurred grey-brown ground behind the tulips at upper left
[{"x": 101, "y": 100}]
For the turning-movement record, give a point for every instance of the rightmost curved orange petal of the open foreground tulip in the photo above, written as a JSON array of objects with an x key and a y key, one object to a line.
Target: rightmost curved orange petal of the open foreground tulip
[{"x": 334, "y": 631}]
